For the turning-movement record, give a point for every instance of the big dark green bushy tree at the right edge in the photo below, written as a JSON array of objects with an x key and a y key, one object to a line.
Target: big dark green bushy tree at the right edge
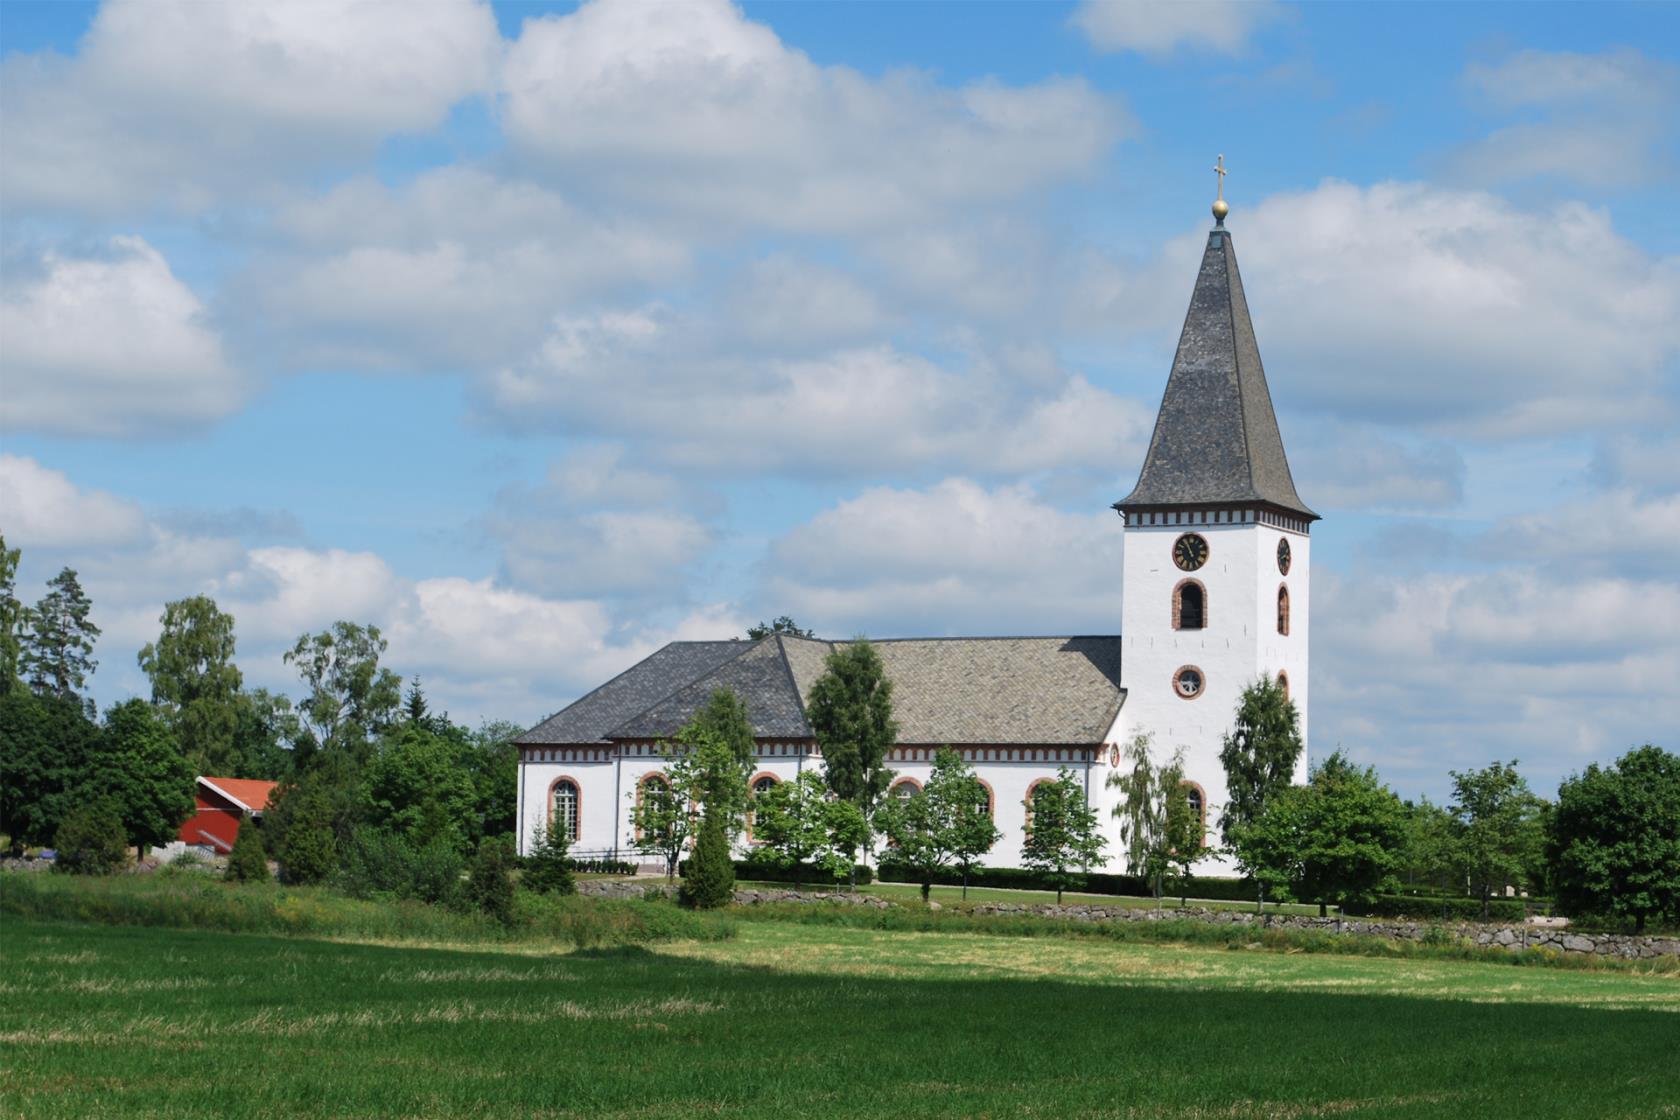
[{"x": 1615, "y": 839}]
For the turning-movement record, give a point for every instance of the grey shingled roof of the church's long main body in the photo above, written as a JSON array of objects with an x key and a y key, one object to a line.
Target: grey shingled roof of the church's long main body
[{"x": 947, "y": 691}]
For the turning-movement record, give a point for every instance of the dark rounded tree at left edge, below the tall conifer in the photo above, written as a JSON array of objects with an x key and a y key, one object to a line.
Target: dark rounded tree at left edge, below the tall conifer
[{"x": 48, "y": 745}]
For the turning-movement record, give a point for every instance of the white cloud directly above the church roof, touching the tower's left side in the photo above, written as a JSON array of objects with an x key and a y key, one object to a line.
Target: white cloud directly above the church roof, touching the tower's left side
[{"x": 955, "y": 558}]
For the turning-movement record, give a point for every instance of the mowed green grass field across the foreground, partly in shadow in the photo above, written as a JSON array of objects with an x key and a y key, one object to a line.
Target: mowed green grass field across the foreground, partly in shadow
[{"x": 811, "y": 1022}]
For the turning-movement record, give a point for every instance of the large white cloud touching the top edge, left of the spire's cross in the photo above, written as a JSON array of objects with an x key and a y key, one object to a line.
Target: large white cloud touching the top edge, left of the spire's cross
[{"x": 696, "y": 110}]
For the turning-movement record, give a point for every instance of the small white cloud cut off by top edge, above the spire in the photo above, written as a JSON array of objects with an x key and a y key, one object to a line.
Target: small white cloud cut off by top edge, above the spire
[{"x": 1162, "y": 28}]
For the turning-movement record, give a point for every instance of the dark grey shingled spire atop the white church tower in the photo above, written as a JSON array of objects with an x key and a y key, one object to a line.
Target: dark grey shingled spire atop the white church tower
[{"x": 1217, "y": 441}]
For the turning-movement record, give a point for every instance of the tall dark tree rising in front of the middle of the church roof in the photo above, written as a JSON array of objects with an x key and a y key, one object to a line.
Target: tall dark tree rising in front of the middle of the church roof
[{"x": 851, "y": 714}]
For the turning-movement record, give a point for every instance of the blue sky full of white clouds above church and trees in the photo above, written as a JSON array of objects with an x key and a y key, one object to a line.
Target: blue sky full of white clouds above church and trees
[{"x": 543, "y": 335}]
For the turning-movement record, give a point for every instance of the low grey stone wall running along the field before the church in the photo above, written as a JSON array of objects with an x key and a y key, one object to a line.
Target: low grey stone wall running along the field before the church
[{"x": 1513, "y": 938}]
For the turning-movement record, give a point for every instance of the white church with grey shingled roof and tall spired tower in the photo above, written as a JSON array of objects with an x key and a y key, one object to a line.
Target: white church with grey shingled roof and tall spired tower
[{"x": 1215, "y": 595}]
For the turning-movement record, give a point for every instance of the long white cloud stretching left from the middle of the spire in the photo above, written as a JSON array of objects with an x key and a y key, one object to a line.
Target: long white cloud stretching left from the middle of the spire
[{"x": 651, "y": 375}]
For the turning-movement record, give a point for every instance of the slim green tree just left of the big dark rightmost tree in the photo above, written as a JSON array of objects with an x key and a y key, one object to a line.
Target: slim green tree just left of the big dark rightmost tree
[{"x": 1499, "y": 822}]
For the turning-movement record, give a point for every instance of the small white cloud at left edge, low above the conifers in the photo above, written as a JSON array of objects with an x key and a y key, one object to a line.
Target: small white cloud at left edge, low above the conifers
[{"x": 43, "y": 510}]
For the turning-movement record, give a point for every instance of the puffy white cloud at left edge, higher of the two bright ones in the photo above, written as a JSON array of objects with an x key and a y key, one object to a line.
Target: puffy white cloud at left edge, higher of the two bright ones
[{"x": 113, "y": 347}]
